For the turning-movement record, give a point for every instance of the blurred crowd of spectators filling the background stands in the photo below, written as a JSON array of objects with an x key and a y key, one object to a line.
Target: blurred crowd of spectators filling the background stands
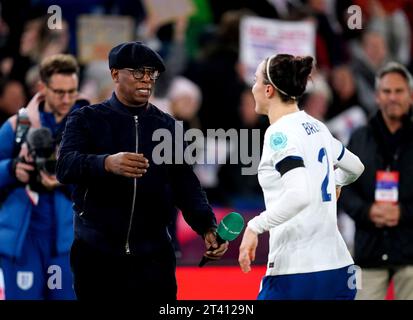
[{"x": 203, "y": 85}]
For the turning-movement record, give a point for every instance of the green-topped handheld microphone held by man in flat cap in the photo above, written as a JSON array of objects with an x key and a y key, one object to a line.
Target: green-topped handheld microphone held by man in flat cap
[{"x": 228, "y": 229}]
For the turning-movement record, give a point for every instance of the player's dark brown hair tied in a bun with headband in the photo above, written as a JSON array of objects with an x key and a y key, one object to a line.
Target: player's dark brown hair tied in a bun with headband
[{"x": 289, "y": 75}]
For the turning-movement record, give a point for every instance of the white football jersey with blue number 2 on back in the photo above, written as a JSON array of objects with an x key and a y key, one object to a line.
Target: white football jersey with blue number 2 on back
[{"x": 310, "y": 241}]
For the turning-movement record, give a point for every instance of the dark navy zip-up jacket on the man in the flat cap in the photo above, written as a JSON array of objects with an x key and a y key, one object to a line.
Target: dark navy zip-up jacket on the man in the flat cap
[{"x": 111, "y": 212}]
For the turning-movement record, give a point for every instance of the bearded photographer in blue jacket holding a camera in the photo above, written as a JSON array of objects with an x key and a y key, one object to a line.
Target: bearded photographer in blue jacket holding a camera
[{"x": 35, "y": 209}]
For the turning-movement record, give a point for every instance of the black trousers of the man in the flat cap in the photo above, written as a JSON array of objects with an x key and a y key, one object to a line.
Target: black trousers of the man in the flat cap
[{"x": 104, "y": 276}]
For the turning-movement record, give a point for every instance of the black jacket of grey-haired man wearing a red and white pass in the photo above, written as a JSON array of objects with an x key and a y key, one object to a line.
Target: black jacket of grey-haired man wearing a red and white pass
[{"x": 378, "y": 149}]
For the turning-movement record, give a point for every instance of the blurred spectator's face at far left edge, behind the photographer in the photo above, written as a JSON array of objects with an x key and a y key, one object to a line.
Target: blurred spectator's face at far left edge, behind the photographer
[{"x": 12, "y": 98}]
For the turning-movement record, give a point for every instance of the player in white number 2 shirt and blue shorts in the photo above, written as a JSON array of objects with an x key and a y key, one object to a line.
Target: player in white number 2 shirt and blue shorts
[{"x": 301, "y": 172}]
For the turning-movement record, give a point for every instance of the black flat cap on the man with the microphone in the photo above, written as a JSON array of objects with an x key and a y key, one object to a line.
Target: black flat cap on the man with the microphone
[{"x": 134, "y": 55}]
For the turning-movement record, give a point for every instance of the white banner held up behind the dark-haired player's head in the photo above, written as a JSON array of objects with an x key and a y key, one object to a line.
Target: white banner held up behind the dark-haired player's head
[{"x": 261, "y": 37}]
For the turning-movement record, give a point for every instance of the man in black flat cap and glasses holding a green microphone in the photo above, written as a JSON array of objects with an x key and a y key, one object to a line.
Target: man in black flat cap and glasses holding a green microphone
[{"x": 123, "y": 200}]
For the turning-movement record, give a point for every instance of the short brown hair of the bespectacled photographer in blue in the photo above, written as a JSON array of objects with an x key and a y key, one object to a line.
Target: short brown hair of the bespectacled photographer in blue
[{"x": 58, "y": 63}]
